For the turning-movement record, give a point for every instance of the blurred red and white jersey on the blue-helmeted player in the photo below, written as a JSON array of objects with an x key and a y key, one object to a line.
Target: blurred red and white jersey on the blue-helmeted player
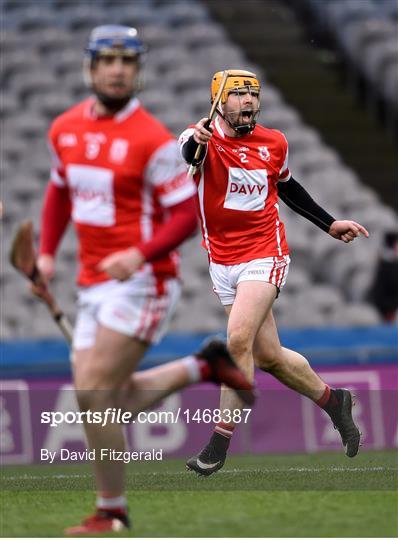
[{"x": 122, "y": 172}]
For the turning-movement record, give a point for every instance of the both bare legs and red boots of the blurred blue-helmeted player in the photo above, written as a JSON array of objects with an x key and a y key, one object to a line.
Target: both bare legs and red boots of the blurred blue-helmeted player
[{"x": 100, "y": 379}]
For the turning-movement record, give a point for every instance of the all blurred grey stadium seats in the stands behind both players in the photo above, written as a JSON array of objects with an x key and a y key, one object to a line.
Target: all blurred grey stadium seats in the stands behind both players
[{"x": 328, "y": 280}]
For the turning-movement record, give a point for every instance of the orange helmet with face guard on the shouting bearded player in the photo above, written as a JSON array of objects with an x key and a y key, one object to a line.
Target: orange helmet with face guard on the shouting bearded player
[{"x": 238, "y": 81}]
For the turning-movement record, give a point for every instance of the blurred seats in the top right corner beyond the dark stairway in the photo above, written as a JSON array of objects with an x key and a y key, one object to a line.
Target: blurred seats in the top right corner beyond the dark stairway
[{"x": 366, "y": 35}]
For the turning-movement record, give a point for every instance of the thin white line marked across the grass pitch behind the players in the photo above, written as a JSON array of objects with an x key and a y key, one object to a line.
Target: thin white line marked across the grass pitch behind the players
[{"x": 229, "y": 472}]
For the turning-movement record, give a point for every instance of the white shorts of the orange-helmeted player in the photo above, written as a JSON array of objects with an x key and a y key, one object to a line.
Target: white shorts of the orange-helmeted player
[{"x": 226, "y": 278}]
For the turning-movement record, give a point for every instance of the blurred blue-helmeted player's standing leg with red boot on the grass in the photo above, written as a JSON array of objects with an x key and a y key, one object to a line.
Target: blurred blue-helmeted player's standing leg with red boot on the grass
[{"x": 99, "y": 372}]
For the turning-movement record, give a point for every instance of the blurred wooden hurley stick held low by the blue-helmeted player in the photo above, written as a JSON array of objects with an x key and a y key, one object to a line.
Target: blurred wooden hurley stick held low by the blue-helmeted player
[{"x": 23, "y": 258}]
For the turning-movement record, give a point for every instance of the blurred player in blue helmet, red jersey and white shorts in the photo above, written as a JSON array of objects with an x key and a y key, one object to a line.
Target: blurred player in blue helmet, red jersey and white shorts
[{"x": 118, "y": 176}]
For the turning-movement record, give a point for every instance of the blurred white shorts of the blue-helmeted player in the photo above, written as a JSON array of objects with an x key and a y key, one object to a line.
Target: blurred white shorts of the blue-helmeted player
[{"x": 133, "y": 307}]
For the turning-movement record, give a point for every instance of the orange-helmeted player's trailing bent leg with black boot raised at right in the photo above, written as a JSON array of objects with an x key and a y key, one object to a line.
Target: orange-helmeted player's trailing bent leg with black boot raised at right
[{"x": 293, "y": 370}]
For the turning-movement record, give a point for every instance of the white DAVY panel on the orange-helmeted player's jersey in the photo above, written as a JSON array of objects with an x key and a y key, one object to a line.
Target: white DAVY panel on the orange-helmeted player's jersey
[{"x": 247, "y": 189}]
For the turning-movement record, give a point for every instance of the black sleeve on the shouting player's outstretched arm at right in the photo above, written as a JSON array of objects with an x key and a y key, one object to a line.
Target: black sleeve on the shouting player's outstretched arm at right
[{"x": 298, "y": 199}]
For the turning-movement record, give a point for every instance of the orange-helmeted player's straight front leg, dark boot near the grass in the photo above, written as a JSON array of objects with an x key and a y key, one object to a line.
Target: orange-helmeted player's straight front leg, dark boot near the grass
[{"x": 252, "y": 303}]
